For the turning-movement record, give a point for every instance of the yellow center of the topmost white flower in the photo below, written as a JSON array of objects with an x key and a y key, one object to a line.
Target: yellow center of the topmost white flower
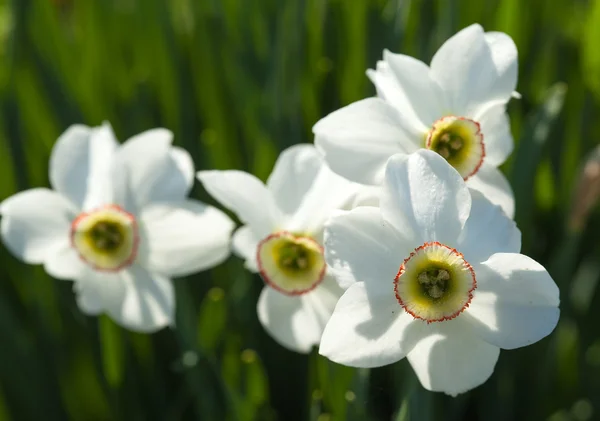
[{"x": 460, "y": 141}]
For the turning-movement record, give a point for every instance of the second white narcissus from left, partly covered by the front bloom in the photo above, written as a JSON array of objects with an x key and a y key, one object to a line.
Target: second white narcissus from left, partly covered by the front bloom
[{"x": 282, "y": 239}]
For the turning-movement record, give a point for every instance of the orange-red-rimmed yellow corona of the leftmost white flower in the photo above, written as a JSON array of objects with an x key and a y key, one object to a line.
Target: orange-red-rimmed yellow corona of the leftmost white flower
[{"x": 106, "y": 238}]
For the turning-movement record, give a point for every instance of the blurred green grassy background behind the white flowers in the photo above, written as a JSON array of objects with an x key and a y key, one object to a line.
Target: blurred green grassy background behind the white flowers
[{"x": 238, "y": 81}]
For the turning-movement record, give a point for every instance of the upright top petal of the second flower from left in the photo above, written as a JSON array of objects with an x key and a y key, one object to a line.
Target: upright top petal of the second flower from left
[{"x": 293, "y": 175}]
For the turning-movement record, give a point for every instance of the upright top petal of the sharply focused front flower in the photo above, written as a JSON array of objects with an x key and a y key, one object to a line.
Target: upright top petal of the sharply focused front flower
[{"x": 425, "y": 197}]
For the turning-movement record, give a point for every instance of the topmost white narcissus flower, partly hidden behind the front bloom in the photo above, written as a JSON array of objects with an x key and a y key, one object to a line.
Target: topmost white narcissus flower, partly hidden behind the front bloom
[{"x": 455, "y": 107}]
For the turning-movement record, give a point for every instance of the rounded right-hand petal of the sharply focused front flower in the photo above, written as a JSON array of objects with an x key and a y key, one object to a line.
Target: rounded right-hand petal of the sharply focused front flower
[{"x": 515, "y": 303}]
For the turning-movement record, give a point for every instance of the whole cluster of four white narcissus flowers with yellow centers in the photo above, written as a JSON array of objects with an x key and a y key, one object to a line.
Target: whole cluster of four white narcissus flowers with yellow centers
[{"x": 392, "y": 238}]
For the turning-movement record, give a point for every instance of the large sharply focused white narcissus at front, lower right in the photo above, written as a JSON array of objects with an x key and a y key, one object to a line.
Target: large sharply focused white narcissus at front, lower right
[{"x": 434, "y": 275}]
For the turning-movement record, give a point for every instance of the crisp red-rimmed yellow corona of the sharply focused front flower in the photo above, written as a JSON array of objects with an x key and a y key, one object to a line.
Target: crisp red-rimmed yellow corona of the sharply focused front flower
[{"x": 435, "y": 283}]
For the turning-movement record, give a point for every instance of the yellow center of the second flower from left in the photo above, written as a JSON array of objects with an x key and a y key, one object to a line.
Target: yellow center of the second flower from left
[{"x": 292, "y": 264}]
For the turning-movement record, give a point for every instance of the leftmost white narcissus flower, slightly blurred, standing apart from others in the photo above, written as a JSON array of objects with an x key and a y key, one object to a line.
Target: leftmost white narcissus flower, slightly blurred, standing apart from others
[{"x": 118, "y": 223}]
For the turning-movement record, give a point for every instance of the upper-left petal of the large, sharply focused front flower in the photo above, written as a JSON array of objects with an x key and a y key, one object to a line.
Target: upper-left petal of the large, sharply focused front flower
[{"x": 361, "y": 246}]
